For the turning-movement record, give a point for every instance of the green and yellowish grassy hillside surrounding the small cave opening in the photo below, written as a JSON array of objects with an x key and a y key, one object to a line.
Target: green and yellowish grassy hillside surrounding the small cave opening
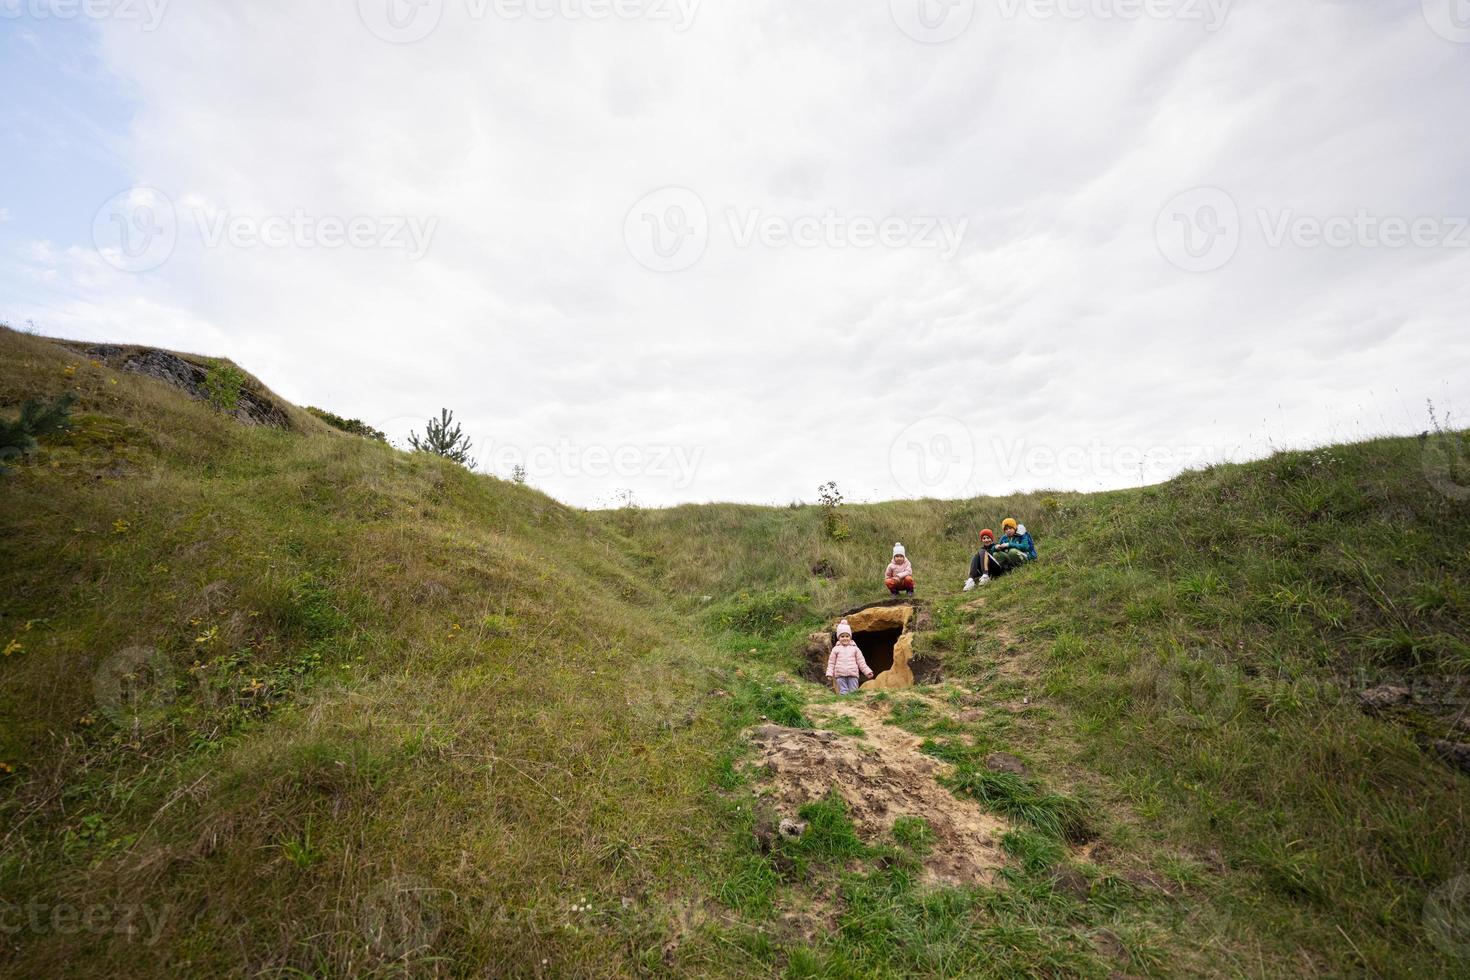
[{"x": 286, "y": 702}]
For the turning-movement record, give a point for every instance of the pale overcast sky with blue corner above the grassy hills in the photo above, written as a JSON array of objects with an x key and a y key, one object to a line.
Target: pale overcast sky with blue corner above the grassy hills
[{"x": 731, "y": 251}]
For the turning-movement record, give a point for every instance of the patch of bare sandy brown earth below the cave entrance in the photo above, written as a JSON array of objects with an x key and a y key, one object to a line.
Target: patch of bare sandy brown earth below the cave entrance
[{"x": 883, "y": 777}]
